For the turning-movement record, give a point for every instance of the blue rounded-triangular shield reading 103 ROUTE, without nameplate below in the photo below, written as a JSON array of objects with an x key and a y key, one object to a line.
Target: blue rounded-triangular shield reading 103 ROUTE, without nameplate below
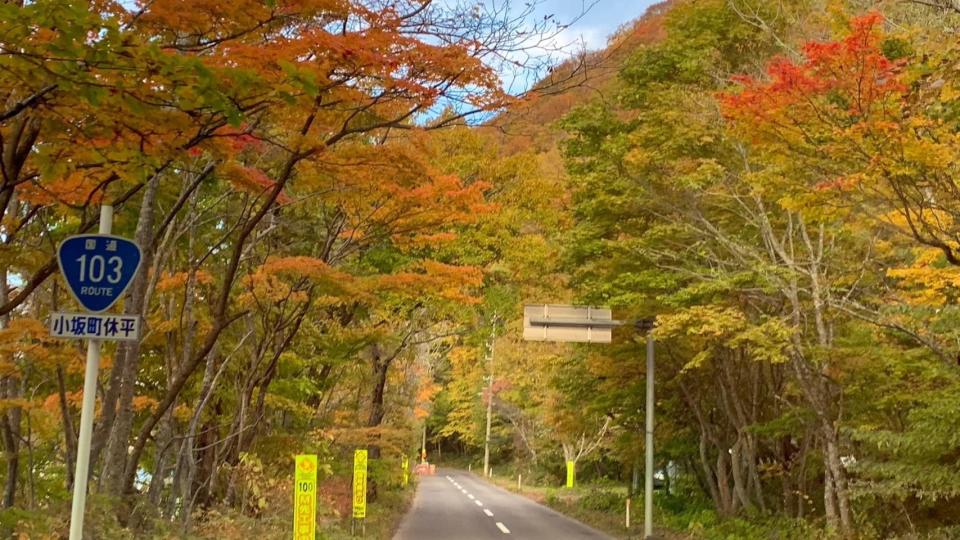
[{"x": 98, "y": 268}]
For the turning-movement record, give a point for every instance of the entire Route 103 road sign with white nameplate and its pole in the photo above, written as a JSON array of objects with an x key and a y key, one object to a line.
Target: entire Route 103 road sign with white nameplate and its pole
[{"x": 98, "y": 268}]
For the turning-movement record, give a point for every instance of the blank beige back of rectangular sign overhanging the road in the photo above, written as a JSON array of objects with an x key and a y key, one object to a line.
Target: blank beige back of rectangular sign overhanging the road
[{"x": 564, "y": 323}]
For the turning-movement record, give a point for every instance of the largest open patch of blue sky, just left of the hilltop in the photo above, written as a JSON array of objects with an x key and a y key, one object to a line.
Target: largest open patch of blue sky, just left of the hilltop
[{"x": 600, "y": 20}]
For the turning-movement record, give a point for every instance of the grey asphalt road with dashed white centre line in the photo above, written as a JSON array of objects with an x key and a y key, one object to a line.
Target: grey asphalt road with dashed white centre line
[{"x": 454, "y": 505}]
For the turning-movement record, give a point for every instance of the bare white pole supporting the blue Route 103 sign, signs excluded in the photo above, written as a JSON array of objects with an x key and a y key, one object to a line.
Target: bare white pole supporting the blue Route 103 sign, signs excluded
[{"x": 87, "y": 412}]
